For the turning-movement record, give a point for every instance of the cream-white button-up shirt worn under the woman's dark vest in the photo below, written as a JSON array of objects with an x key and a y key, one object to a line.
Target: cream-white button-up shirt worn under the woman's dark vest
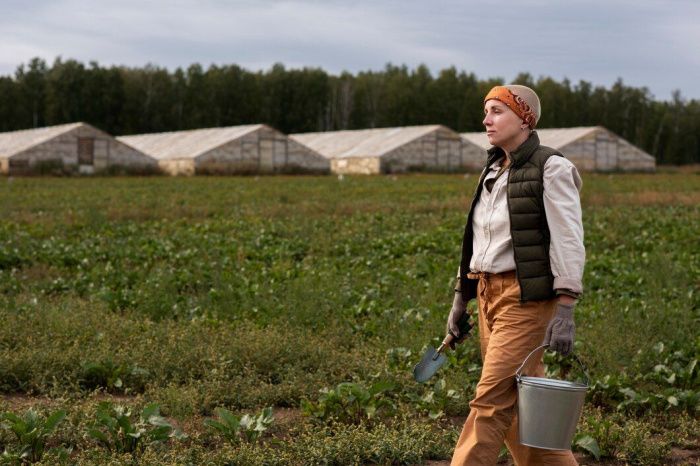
[{"x": 492, "y": 244}]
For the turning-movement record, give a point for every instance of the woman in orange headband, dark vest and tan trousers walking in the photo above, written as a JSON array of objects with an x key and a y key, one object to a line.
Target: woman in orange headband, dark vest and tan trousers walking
[{"x": 522, "y": 259}]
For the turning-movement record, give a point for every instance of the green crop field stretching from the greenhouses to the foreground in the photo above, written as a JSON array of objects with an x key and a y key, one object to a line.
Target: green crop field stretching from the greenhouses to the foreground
[{"x": 157, "y": 320}]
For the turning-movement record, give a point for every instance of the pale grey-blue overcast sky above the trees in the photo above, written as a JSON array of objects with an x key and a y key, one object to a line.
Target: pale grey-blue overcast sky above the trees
[{"x": 652, "y": 43}]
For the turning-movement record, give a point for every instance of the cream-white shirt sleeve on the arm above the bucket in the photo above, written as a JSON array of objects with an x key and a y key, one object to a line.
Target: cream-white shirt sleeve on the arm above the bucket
[{"x": 562, "y": 205}]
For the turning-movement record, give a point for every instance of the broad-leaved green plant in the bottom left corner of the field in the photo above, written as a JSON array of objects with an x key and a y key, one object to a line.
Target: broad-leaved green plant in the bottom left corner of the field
[{"x": 31, "y": 431}]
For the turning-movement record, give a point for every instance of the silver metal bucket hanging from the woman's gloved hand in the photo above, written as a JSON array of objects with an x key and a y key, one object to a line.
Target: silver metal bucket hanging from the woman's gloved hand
[{"x": 548, "y": 409}]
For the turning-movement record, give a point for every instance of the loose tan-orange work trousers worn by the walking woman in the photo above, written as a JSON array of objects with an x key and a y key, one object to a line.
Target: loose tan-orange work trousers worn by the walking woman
[{"x": 508, "y": 332}]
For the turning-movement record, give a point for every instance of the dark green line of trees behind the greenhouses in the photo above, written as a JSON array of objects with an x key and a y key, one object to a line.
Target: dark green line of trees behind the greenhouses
[{"x": 123, "y": 100}]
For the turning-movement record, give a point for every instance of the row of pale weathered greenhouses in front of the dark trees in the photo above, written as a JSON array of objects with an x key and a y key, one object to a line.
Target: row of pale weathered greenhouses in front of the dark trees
[{"x": 79, "y": 148}]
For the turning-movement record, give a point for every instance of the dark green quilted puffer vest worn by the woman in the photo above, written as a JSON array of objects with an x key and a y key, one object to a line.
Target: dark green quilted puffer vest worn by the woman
[{"x": 528, "y": 222}]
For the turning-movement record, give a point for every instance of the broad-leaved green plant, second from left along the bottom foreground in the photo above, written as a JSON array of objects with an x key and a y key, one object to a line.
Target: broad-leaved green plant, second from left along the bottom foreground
[{"x": 117, "y": 430}]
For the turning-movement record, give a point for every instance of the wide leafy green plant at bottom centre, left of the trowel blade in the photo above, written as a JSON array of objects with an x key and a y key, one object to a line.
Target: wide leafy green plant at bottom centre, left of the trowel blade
[{"x": 351, "y": 402}]
